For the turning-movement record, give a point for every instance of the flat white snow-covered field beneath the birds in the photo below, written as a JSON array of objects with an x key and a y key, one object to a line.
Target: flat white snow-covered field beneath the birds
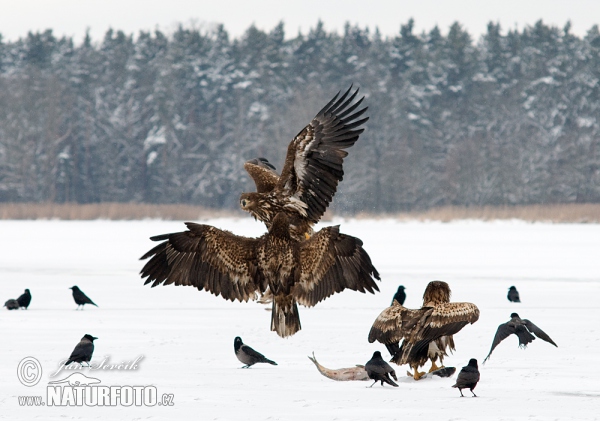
[{"x": 186, "y": 336}]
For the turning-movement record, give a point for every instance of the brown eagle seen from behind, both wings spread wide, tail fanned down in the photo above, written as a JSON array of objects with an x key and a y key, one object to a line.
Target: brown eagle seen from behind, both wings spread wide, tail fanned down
[{"x": 238, "y": 267}]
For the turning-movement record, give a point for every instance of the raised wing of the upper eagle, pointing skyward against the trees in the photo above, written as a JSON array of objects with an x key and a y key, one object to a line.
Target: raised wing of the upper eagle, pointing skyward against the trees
[{"x": 313, "y": 163}]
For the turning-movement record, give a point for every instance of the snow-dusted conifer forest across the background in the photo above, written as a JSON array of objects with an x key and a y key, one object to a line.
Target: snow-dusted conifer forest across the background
[{"x": 511, "y": 118}]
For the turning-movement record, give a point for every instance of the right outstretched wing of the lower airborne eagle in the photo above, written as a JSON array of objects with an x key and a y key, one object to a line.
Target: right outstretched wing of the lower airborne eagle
[{"x": 331, "y": 262}]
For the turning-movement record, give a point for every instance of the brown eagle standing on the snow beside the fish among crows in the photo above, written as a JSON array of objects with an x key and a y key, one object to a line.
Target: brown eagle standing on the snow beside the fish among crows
[{"x": 425, "y": 333}]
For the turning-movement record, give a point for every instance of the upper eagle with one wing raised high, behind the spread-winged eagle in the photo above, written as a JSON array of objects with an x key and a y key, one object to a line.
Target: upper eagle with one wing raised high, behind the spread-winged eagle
[{"x": 312, "y": 169}]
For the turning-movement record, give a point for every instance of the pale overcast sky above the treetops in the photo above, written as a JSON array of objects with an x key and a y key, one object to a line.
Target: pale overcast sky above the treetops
[{"x": 72, "y": 17}]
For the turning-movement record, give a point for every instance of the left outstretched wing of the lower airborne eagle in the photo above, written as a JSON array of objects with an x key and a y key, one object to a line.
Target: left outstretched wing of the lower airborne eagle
[{"x": 207, "y": 258}]
